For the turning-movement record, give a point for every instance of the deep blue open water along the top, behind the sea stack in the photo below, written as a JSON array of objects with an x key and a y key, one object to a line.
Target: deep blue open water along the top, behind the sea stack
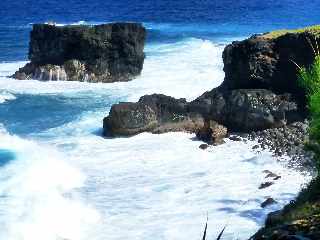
[{"x": 170, "y": 20}]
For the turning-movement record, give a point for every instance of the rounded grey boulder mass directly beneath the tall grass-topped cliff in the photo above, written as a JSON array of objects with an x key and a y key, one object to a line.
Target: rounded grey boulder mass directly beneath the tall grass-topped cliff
[{"x": 246, "y": 109}]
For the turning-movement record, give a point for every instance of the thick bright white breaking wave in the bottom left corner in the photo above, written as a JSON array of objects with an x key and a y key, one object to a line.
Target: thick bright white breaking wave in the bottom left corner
[{"x": 33, "y": 201}]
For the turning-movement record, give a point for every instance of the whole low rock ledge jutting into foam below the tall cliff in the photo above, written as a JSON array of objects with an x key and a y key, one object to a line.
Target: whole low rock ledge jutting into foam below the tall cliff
[{"x": 241, "y": 109}]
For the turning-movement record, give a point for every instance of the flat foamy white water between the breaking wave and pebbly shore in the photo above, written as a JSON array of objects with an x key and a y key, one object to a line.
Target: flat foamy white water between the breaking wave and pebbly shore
[{"x": 162, "y": 186}]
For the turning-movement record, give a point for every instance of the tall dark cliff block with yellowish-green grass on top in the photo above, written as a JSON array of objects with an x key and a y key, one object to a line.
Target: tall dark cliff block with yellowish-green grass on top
[{"x": 269, "y": 62}]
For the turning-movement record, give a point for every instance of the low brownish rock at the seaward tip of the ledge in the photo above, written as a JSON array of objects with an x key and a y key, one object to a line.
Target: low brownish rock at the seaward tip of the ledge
[{"x": 154, "y": 113}]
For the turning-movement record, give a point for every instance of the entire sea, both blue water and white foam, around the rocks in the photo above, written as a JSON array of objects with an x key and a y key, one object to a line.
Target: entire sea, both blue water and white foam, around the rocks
[{"x": 59, "y": 179}]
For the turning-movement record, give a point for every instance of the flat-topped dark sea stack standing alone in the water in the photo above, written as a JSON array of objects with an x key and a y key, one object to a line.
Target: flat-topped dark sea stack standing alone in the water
[{"x": 102, "y": 53}]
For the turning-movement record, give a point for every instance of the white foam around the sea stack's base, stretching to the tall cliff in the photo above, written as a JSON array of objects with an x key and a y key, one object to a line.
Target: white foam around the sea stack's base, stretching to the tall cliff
[{"x": 182, "y": 70}]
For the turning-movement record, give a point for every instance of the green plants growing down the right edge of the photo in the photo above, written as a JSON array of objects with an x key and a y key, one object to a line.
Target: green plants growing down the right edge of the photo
[{"x": 303, "y": 215}]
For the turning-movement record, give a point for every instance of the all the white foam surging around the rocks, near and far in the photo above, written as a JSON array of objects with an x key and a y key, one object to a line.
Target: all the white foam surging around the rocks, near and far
[{"x": 70, "y": 183}]
